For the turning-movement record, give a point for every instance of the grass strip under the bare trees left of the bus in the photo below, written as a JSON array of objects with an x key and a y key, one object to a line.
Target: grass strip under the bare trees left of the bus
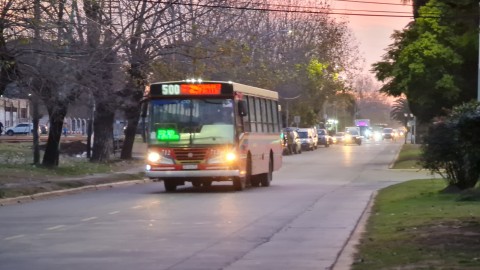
[{"x": 18, "y": 176}]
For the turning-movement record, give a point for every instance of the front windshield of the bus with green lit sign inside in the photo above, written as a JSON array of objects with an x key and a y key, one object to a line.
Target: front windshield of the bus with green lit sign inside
[{"x": 190, "y": 122}]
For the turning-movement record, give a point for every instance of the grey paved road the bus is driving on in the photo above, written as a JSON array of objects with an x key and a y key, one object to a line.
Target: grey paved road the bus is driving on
[{"x": 302, "y": 221}]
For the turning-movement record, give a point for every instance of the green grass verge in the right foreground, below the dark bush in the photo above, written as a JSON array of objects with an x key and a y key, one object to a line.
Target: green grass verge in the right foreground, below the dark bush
[{"x": 414, "y": 226}]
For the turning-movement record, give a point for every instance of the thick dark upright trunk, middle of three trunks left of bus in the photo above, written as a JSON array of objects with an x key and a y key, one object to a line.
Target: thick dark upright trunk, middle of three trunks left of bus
[{"x": 103, "y": 132}]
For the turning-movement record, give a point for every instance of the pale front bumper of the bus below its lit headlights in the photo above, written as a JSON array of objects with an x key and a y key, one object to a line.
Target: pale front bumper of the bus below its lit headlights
[{"x": 192, "y": 173}]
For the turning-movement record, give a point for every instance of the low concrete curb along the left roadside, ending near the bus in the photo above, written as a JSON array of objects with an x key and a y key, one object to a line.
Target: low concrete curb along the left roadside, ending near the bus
[{"x": 56, "y": 193}]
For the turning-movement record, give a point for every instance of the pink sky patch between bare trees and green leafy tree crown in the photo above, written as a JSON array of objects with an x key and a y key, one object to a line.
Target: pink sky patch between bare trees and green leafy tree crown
[{"x": 373, "y": 33}]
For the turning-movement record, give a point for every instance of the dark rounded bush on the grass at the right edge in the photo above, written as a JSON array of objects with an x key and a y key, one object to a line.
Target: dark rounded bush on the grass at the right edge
[{"x": 452, "y": 147}]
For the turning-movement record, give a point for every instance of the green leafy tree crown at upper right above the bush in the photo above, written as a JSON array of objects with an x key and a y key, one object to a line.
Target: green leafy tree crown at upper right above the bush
[{"x": 431, "y": 61}]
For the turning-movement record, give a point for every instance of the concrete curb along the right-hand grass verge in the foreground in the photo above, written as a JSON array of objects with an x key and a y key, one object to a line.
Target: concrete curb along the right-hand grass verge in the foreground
[{"x": 345, "y": 258}]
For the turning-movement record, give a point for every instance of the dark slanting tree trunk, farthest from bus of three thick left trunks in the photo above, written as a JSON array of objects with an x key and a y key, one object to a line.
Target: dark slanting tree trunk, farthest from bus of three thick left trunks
[{"x": 52, "y": 151}]
